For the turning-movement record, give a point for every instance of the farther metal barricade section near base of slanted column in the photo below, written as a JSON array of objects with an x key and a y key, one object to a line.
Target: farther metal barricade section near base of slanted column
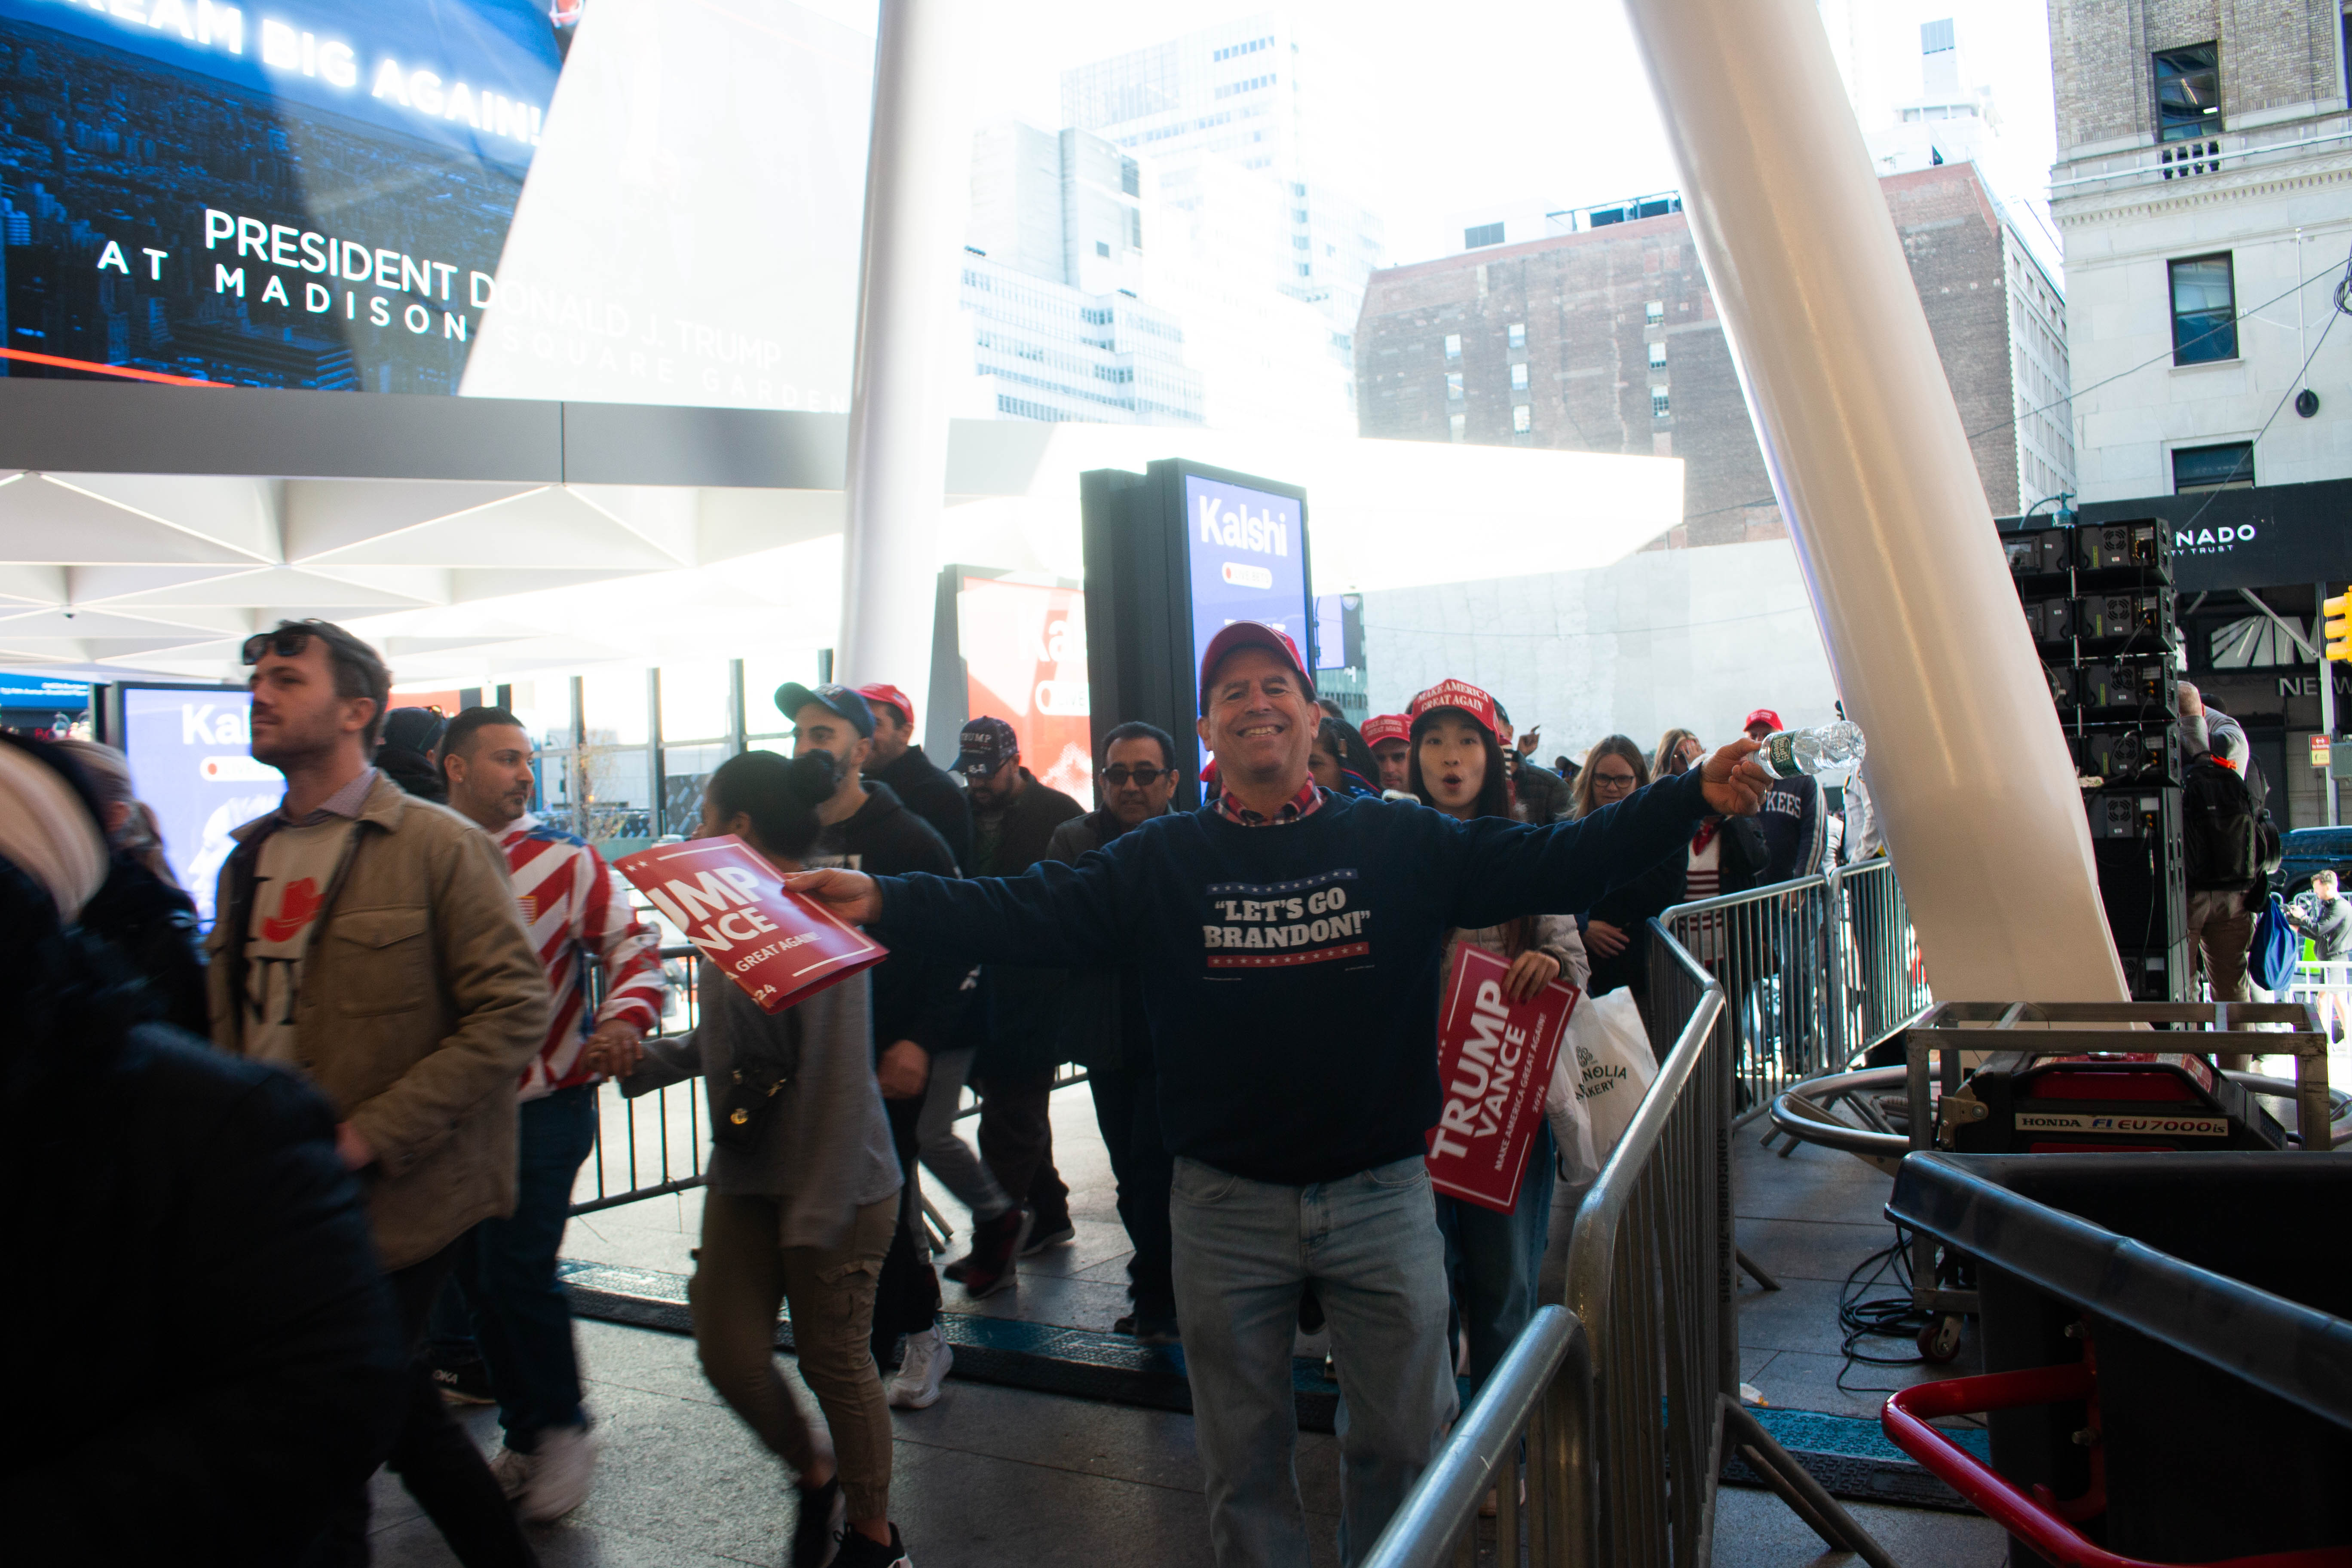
[{"x": 1815, "y": 972}]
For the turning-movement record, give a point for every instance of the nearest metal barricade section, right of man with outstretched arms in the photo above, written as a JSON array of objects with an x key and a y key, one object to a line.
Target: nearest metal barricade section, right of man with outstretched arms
[{"x": 1626, "y": 1402}]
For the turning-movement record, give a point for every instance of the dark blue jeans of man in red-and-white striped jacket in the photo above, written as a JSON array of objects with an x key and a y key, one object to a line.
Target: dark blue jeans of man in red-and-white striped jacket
[{"x": 507, "y": 1275}]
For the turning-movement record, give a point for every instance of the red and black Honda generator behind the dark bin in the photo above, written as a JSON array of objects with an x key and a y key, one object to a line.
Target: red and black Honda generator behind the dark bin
[{"x": 2104, "y": 1104}]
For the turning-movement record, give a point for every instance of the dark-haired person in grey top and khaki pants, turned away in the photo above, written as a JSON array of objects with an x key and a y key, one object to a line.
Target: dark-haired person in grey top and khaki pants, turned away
[{"x": 801, "y": 1200}]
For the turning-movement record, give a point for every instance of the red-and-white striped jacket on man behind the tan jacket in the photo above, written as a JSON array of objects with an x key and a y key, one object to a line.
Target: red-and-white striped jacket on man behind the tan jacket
[{"x": 577, "y": 913}]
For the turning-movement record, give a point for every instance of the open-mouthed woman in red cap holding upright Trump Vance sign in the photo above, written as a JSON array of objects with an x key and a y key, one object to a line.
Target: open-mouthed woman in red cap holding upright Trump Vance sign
[{"x": 1457, "y": 768}]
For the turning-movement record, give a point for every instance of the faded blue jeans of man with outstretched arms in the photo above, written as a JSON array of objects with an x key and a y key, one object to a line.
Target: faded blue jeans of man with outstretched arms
[{"x": 1243, "y": 1252}]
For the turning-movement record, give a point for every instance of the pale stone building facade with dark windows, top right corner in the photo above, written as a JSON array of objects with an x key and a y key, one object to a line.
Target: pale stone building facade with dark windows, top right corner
[{"x": 2205, "y": 199}]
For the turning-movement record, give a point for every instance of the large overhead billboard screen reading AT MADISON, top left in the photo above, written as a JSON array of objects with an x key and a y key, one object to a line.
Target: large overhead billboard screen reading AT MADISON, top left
[{"x": 441, "y": 196}]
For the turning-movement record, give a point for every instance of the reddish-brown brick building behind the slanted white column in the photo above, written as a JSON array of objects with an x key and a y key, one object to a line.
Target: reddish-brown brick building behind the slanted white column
[{"x": 1608, "y": 342}]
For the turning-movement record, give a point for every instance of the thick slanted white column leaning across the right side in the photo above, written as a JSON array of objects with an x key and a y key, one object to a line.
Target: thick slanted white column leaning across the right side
[{"x": 1873, "y": 474}]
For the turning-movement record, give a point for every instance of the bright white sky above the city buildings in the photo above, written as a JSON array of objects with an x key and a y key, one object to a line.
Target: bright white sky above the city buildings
[{"x": 1506, "y": 105}]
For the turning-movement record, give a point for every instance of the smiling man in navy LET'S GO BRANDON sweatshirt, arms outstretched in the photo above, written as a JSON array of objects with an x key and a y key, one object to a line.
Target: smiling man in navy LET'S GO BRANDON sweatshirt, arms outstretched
[{"x": 1290, "y": 949}]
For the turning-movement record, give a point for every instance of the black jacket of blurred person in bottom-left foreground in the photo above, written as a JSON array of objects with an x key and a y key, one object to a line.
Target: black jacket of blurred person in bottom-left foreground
[{"x": 215, "y": 1355}]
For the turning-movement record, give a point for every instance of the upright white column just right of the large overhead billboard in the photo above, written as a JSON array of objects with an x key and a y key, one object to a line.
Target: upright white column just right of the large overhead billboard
[{"x": 918, "y": 187}]
